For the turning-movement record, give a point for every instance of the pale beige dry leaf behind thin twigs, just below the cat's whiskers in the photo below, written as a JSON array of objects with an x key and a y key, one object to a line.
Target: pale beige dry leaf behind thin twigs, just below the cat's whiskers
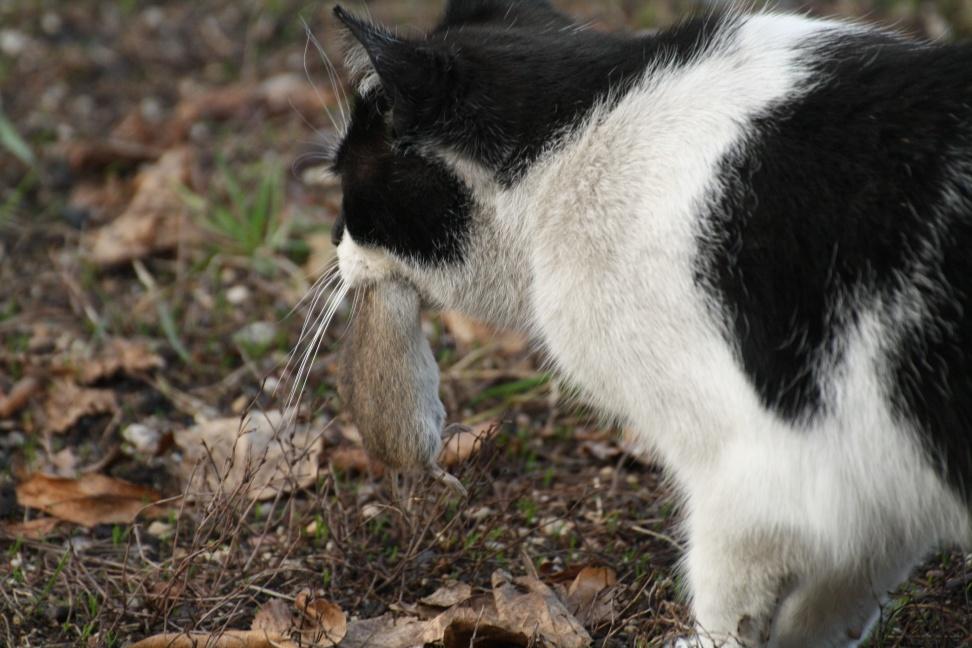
[{"x": 261, "y": 455}]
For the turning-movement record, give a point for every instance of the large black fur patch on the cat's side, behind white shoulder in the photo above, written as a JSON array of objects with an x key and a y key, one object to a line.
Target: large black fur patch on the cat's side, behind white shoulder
[{"x": 827, "y": 211}]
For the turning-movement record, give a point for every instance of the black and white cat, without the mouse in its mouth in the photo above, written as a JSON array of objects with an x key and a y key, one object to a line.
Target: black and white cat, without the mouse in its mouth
[{"x": 748, "y": 238}]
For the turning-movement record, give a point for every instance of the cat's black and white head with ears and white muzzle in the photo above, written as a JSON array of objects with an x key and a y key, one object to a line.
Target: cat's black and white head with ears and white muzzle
[{"x": 442, "y": 123}]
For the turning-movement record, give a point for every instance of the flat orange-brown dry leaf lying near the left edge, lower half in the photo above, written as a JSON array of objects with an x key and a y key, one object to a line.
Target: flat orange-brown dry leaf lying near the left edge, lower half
[{"x": 88, "y": 500}]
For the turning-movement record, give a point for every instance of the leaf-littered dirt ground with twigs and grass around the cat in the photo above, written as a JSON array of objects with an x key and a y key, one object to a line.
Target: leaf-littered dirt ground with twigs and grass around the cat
[{"x": 161, "y": 219}]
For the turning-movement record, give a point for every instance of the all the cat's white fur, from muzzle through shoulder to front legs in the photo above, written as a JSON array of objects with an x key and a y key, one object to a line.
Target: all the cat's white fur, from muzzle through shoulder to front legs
[{"x": 796, "y": 532}]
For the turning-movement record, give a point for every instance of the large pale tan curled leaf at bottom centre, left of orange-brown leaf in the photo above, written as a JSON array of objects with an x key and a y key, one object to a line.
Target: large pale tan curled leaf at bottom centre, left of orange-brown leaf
[{"x": 526, "y": 605}]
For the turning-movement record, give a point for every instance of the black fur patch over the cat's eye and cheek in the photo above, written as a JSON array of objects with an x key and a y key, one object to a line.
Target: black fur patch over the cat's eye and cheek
[{"x": 396, "y": 199}]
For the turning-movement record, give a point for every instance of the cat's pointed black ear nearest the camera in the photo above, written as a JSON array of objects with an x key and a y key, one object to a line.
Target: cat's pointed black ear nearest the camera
[{"x": 414, "y": 76}]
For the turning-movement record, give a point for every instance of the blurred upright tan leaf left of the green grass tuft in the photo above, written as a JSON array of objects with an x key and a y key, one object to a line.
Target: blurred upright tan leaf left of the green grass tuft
[{"x": 156, "y": 219}]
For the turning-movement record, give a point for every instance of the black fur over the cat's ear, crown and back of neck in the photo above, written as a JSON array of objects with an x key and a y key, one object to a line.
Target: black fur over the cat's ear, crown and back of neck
[{"x": 499, "y": 81}]
